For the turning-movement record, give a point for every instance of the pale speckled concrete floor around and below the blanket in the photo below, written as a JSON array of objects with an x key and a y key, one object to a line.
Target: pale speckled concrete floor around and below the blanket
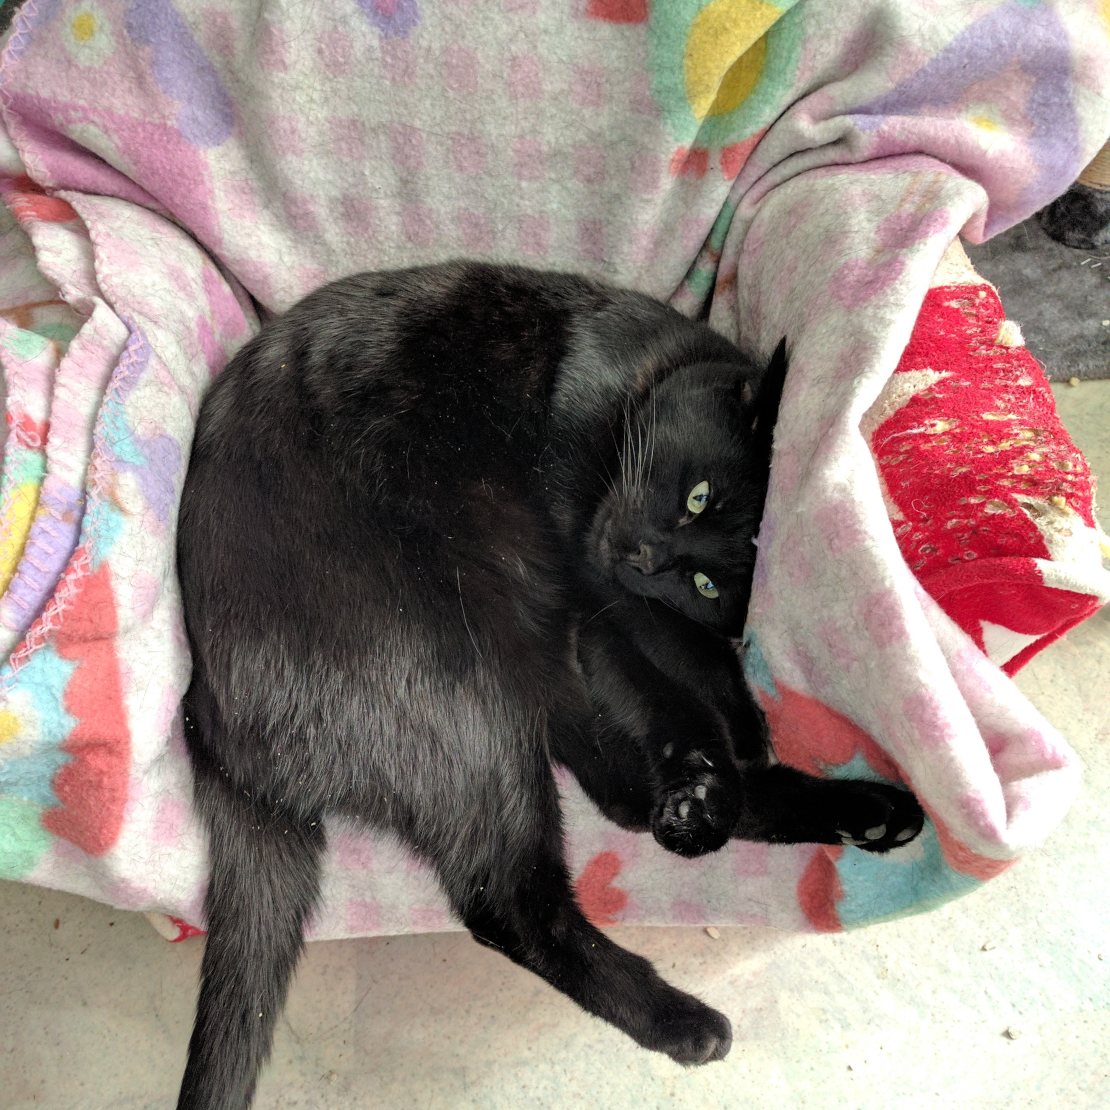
[{"x": 96, "y": 1010}]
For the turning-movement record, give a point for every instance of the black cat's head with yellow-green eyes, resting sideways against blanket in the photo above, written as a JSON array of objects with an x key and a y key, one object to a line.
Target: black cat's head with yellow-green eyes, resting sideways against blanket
[{"x": 678, "y": 523}]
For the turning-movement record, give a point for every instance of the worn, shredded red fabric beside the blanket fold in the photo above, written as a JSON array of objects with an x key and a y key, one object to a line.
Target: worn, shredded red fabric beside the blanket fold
[{"x": 971, "y": 463}]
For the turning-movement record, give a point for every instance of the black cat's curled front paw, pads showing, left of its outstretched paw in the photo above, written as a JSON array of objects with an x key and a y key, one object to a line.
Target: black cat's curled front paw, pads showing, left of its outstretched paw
[{"x": 698, "y": 813}]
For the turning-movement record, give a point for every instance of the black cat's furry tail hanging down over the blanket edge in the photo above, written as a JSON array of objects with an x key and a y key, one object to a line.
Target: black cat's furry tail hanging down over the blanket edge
[{"x": 265, "y": 884}]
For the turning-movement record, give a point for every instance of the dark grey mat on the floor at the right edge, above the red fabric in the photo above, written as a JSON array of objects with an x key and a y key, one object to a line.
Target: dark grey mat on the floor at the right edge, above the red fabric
[{"x": 1059, "y": 296}]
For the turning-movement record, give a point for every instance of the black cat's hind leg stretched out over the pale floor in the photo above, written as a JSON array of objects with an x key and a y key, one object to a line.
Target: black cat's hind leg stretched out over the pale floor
[{"x": 488, "y": 820}]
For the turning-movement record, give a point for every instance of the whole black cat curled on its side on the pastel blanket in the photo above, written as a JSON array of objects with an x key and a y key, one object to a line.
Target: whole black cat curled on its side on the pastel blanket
[{"x": 431, "y": 516}]
